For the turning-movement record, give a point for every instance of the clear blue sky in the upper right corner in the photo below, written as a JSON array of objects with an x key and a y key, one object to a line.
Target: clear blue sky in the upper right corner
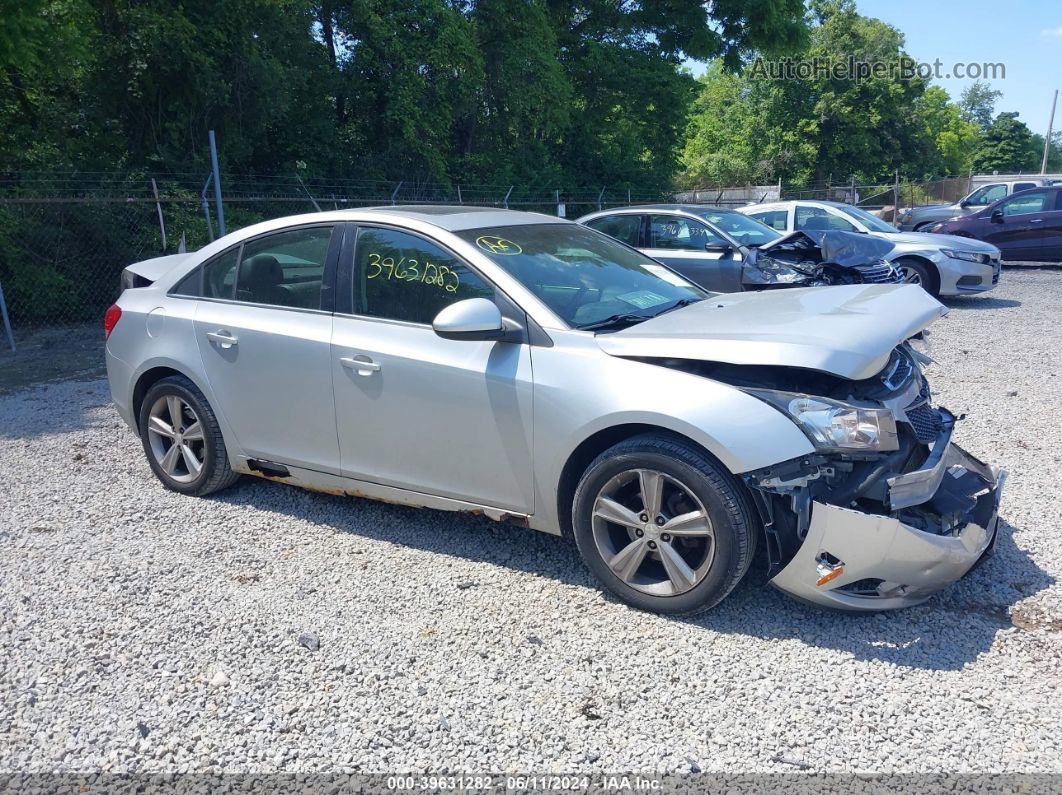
[{"x": 1026, "y": 36}]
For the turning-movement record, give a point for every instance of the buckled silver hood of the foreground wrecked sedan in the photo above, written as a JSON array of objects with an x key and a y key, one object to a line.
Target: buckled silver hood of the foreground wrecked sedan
[{"x": 848, "y": 332}]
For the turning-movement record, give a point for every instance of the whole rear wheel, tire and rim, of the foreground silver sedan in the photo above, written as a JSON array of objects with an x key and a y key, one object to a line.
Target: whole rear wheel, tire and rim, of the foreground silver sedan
[{"x": 182, "y": 439}]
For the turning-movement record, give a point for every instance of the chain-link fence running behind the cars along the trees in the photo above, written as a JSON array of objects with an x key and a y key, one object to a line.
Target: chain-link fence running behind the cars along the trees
[{"x": 64, "y": 239}]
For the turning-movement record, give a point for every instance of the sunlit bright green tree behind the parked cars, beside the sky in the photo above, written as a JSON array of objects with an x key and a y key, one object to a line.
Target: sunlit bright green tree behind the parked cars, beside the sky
[{"x": 829, "y": 125}]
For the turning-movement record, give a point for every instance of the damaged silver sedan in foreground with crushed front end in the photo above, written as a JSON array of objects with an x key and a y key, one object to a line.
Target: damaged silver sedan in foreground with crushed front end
[{"x": 540, "y": 373}]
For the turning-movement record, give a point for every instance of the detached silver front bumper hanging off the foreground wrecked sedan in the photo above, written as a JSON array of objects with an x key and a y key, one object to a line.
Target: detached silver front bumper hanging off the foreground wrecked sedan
[{"x": 938, "y": 523}]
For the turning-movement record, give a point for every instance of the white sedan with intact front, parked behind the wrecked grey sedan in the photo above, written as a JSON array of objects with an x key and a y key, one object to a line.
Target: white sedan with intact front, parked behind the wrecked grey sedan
[{"x": 945, "y": 265}]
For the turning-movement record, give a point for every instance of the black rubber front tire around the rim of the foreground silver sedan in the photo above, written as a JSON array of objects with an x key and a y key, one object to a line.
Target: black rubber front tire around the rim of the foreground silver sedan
[{"x": 723, "y": 497}]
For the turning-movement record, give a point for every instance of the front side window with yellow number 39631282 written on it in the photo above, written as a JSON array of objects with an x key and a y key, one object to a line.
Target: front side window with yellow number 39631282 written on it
[{"x": 402, "y": 278}]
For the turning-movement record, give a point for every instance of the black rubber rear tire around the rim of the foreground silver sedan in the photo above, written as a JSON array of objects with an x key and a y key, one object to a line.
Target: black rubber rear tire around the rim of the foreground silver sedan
[{"x": 216, "y": 473}]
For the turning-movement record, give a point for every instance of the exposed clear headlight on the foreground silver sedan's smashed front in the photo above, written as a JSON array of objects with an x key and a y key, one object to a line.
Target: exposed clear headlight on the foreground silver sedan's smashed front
[{"x": 835, "y": 426}]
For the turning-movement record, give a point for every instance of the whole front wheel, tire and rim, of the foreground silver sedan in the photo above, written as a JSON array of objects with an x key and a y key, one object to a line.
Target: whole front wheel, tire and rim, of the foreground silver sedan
[{"x": 663, "y": 526}]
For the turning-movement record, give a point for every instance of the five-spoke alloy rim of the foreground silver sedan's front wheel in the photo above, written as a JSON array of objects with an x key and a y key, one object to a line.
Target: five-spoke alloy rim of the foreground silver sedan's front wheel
[{"x": 654, "y": 533}]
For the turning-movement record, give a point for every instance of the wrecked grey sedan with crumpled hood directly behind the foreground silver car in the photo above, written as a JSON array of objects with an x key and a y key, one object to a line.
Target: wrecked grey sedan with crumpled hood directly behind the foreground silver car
[{"x": 728, "y": 252}]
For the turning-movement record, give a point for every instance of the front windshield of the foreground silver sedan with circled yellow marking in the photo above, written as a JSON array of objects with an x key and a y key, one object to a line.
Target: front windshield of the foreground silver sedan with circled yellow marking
[{"x": 585, "y": 276}]
